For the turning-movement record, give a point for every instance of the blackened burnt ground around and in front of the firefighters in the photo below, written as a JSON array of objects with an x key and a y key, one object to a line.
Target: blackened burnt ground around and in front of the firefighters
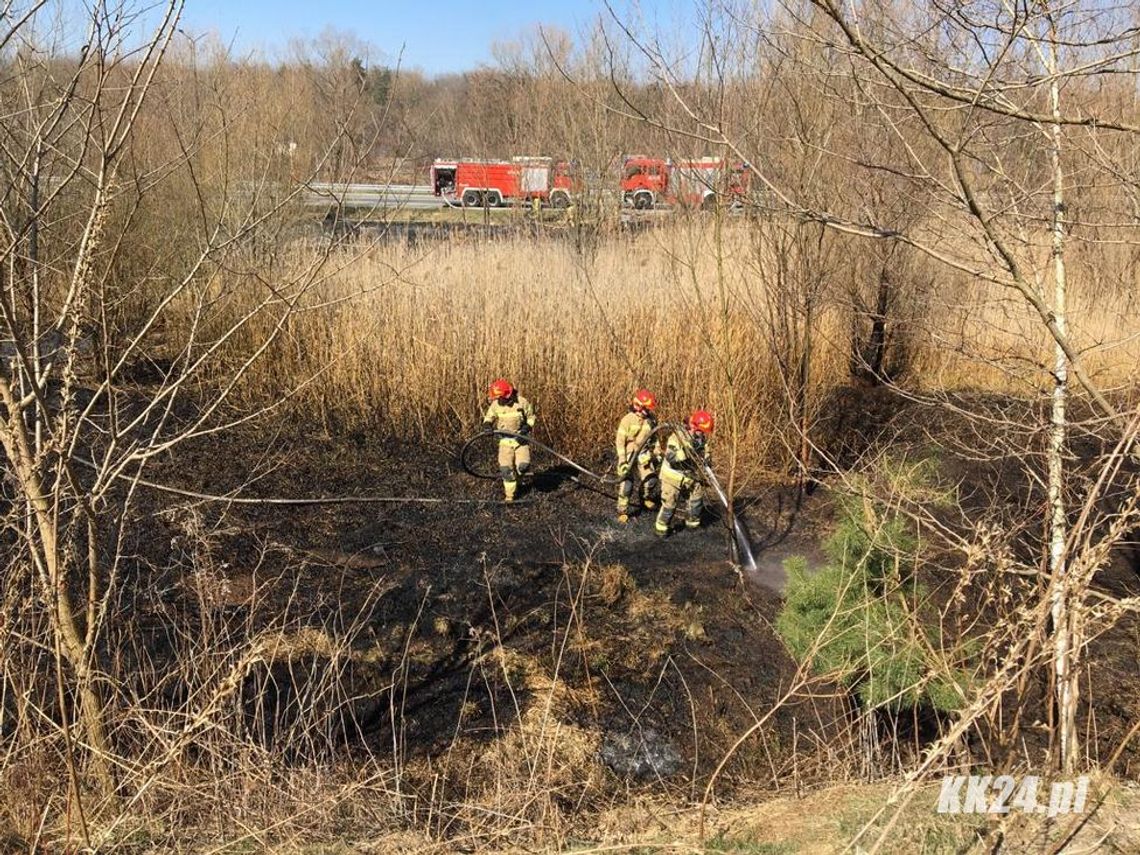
[{"x": 457, "y": 580}]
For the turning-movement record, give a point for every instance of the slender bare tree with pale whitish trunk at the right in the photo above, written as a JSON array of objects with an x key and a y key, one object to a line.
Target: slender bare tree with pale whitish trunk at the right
[{"x": 997, "y": 102}]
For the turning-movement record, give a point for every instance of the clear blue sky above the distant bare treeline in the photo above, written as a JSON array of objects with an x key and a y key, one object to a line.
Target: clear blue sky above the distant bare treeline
[{"x": 437, "y": 37}]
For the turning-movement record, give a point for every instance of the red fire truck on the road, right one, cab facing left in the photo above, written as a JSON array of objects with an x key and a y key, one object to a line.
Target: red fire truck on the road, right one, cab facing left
[{"x": 650, "y": 182}]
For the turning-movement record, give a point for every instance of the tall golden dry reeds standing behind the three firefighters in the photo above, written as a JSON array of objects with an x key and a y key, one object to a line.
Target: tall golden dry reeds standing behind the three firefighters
[{"x": 704, "y": 316}]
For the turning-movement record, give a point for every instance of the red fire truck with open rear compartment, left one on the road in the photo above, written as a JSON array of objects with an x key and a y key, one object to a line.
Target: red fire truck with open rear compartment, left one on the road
[{"x": 493, "y": 184}]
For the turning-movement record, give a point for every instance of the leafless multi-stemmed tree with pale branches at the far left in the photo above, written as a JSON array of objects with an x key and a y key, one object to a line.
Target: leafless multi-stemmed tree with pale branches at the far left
[{"x": 116, "y": 317}]
